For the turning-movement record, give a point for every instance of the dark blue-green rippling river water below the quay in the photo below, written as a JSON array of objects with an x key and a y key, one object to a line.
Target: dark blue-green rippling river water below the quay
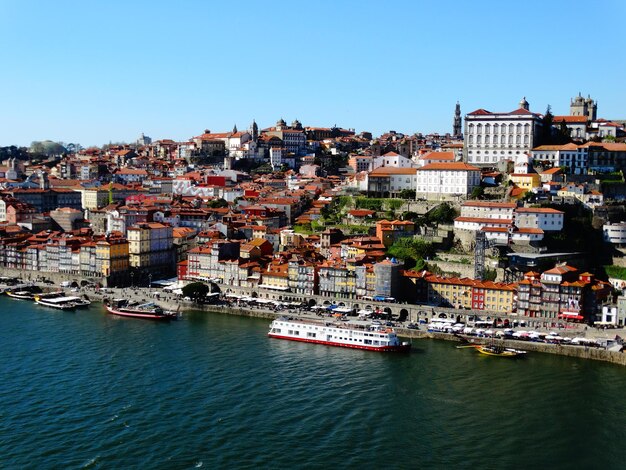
[{"x": 88, "y": 390}]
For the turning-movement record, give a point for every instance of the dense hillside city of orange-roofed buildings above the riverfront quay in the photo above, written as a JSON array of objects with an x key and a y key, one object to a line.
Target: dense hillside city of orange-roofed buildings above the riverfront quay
[{"x": 127, "y": 214}]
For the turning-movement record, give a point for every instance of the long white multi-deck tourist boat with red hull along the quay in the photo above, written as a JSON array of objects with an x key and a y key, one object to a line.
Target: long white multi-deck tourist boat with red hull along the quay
[{"x": 346, "y": 335}]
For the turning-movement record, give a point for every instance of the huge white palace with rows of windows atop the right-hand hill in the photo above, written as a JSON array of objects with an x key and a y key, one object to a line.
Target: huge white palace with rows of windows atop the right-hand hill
[{"x": 493, "y": 137}]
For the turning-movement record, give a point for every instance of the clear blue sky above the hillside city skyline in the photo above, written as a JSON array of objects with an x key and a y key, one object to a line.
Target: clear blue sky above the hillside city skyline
[{"x": 99, "y": 71}]
